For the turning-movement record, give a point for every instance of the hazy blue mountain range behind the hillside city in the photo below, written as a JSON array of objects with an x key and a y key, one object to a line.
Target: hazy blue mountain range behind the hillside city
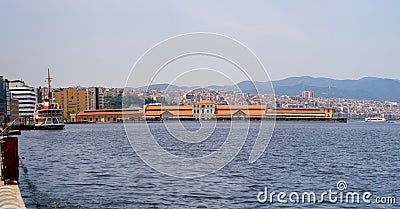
[{"x": 370, "y": 88}]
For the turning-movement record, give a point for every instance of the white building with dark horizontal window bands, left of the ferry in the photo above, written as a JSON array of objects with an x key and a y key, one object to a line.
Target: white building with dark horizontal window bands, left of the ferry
[{"x": 26, "y": 96}]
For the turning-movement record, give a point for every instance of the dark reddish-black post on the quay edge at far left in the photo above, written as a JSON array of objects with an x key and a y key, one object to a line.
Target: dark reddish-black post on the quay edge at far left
[{"x": 10, "y": 160}]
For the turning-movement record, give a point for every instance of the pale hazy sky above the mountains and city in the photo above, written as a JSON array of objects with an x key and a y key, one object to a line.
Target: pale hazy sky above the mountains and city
[{"x": 96, "y": 43}]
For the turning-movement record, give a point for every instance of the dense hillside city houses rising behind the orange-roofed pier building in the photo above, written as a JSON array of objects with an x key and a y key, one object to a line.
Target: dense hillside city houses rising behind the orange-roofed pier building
[{"x": 342, "y": 107}]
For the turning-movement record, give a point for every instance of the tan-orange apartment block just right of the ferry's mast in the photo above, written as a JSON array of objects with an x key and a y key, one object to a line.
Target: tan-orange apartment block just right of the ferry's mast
[{"x": 72, "y": 100}]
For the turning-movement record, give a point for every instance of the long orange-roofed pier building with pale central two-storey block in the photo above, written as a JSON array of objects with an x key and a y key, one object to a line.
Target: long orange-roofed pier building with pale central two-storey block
[{"x": 207, "y": 110}]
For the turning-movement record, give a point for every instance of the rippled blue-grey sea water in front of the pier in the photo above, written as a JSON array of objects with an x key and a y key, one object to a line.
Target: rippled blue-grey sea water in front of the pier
[{"x": 94, "y": 166}]
